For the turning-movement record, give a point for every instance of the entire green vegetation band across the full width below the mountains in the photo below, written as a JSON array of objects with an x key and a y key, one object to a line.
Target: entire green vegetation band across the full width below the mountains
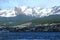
[{"x": 34, "y": 22}]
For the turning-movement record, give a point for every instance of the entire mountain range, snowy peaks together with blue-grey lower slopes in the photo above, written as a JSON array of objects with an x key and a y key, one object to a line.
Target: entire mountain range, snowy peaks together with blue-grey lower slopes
[{"x": 24, "y": 13}]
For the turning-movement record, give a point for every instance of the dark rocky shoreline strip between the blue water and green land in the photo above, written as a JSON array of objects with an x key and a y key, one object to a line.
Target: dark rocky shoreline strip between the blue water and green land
[{"x": 35, "y": 28}]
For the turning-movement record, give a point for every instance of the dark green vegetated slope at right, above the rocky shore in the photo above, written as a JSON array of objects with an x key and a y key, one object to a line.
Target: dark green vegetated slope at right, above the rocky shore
[{"x": 46, "y": 20}]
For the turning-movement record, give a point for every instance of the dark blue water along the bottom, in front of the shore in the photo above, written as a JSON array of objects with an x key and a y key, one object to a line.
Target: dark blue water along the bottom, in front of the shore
[{"x": 6, "y": 35}]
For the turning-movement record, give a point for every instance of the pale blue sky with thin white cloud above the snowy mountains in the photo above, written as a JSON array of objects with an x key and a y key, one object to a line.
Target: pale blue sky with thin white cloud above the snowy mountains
[{"x": 9, "y": 4}]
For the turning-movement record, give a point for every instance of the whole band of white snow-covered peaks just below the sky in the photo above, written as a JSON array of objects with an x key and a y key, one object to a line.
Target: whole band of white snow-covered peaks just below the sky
[{"x": 28, "y": 11}]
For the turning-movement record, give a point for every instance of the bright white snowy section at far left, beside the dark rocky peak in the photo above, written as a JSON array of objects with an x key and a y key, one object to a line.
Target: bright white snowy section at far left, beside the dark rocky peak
[{"x": 7, "y": 13}]
